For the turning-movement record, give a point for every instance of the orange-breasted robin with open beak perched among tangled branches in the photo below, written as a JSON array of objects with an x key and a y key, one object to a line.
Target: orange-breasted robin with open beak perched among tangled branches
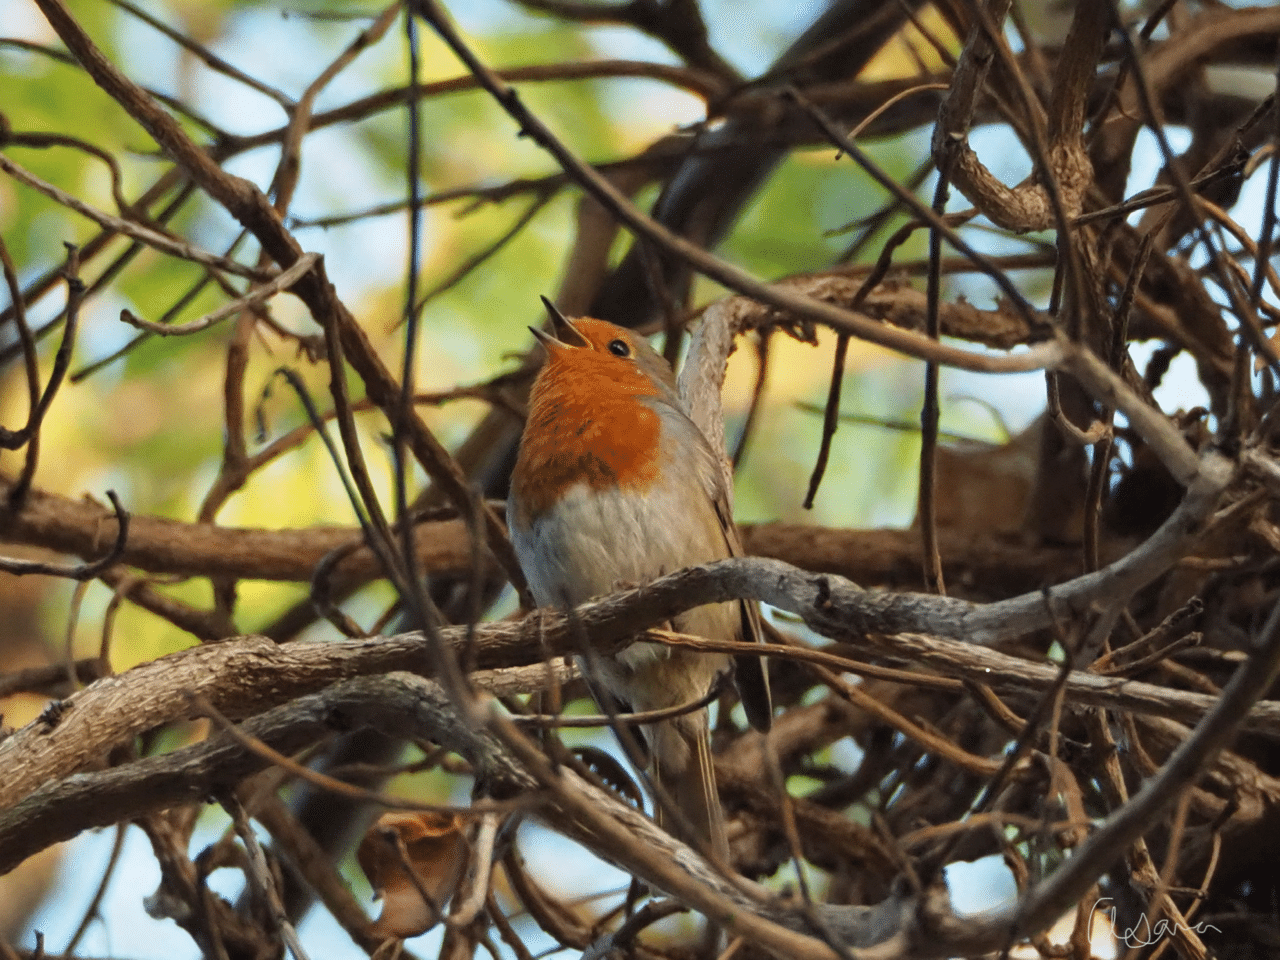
[{"x": 614, "y": 487}]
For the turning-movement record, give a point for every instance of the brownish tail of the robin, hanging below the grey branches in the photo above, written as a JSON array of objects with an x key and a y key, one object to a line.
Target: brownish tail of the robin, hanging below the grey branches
[{"x": 683, "y": 769}]
